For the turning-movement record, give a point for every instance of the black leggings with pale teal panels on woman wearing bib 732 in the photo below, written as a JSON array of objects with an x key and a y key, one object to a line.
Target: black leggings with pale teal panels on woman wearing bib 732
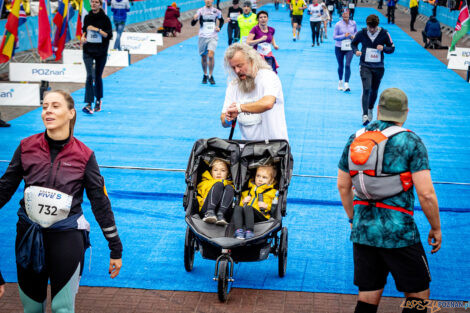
[{"x": 64, "y": 256}]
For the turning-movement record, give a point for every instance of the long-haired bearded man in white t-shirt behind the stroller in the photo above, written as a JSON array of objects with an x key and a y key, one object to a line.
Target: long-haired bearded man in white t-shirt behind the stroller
[{"x": 254, "y": 96}]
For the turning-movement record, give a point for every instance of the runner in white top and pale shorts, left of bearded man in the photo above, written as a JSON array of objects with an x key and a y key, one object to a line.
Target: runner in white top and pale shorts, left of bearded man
[{"x": 208, "y": 37}]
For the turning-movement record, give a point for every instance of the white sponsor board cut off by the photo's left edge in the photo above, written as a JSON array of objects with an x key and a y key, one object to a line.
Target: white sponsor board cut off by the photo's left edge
[{"x": 19, "y": 94}]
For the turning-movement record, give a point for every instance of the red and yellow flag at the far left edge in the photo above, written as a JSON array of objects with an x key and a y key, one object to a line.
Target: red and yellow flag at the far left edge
[{"x": 11, "y": 33}]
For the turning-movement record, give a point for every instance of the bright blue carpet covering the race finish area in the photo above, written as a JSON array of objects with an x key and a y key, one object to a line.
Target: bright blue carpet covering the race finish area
[{"x": 154, "y": 110}]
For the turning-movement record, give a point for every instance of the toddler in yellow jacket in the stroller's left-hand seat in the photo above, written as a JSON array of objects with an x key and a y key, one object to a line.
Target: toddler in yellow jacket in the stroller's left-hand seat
[{"x": 215, "y": 193}]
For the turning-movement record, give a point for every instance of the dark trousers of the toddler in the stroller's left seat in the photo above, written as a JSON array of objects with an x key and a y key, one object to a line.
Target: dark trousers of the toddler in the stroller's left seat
[{"x": 220, "y": 197}]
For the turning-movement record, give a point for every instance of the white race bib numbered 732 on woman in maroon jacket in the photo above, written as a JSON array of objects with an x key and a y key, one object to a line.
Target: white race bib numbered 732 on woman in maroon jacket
[{"x": 46, "y": 206}]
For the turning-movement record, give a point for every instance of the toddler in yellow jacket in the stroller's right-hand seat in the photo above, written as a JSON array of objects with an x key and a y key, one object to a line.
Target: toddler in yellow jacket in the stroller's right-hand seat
[{"x": 256, "y": 202}]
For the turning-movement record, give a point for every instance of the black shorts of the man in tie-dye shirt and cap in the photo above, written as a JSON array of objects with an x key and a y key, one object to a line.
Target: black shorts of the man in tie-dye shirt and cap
[{"x": 408, "y": 265}]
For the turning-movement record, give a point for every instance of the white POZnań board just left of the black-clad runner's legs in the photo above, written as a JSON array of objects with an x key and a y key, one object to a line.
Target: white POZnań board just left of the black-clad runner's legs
[{"x": 35, "y": 72}]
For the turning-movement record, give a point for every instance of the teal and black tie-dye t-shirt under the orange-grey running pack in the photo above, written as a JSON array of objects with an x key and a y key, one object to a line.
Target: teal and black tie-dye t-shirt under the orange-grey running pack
[{"x": 387, "y": 228}]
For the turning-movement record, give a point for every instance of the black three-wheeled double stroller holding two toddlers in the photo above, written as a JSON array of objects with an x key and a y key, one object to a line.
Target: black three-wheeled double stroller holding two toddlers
[{"x": 217, "y": 242}]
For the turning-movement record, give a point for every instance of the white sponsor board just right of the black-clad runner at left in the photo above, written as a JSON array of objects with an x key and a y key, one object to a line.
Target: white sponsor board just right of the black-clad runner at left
[{"x": 138, "y": 43}]
